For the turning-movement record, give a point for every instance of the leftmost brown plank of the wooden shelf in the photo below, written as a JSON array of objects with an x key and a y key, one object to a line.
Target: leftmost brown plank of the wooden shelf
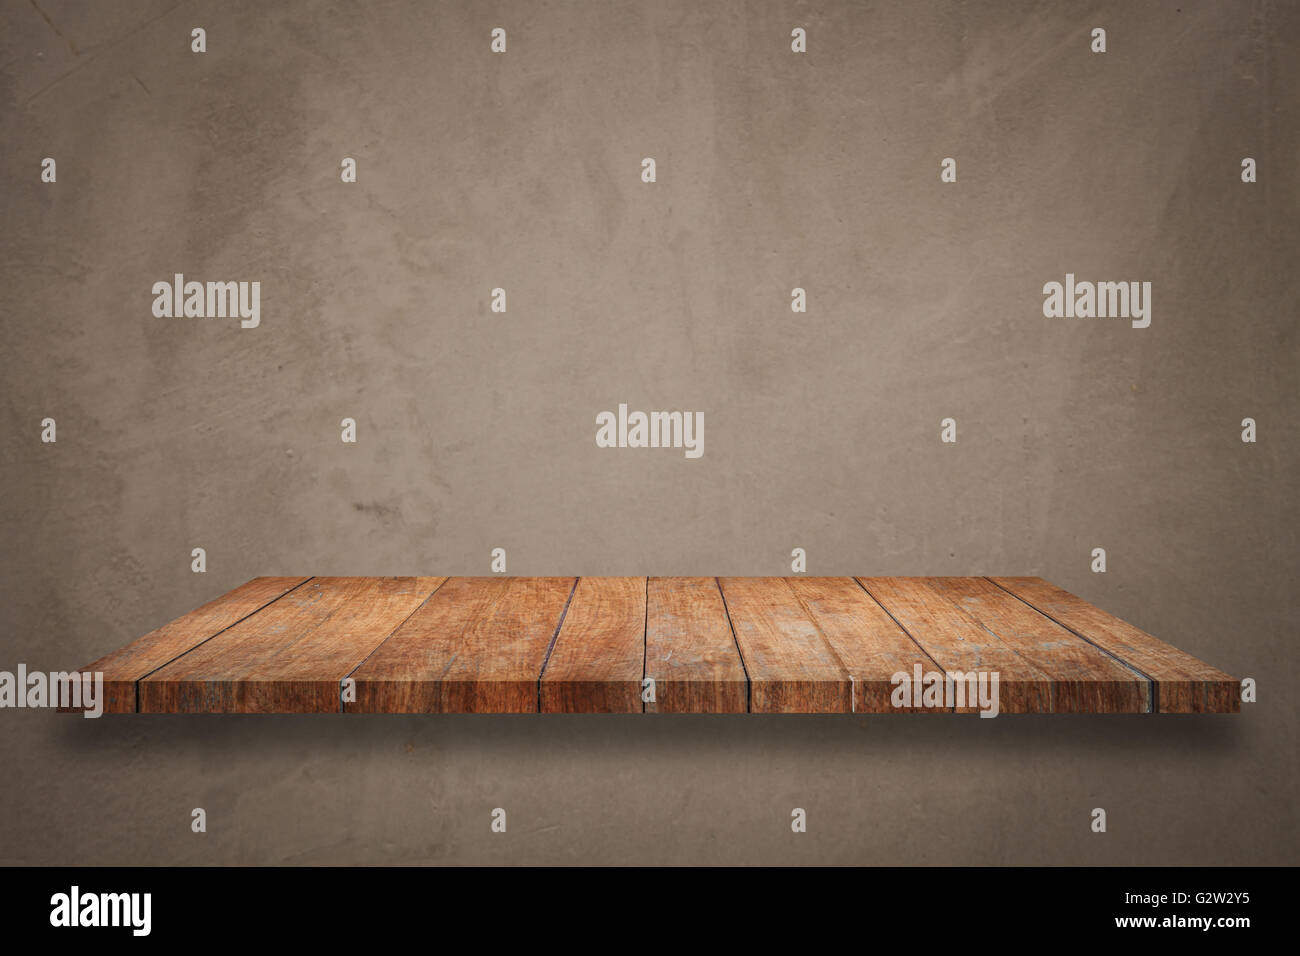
[{"x": 127, "y": 667}]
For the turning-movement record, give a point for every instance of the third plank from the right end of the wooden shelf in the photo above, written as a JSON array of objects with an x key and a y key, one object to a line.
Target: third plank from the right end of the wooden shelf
[{"x": 960, "y": 643}]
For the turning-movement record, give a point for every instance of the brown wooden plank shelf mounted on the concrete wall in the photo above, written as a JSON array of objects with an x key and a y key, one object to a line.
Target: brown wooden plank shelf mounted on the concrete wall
[{"x": 709, "y": 644}]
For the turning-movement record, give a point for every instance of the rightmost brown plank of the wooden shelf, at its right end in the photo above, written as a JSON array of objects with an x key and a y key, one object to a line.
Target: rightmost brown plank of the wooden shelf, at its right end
[{"x": 1184, "y": 685}]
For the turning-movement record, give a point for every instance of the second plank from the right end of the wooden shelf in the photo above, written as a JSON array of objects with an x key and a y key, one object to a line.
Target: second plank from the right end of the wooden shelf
[{"x": 1085, "y": 678}]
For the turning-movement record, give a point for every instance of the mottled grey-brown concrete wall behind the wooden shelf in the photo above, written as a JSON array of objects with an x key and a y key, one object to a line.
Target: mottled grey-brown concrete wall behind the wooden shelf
[{"x": 476, "y": 431}]
